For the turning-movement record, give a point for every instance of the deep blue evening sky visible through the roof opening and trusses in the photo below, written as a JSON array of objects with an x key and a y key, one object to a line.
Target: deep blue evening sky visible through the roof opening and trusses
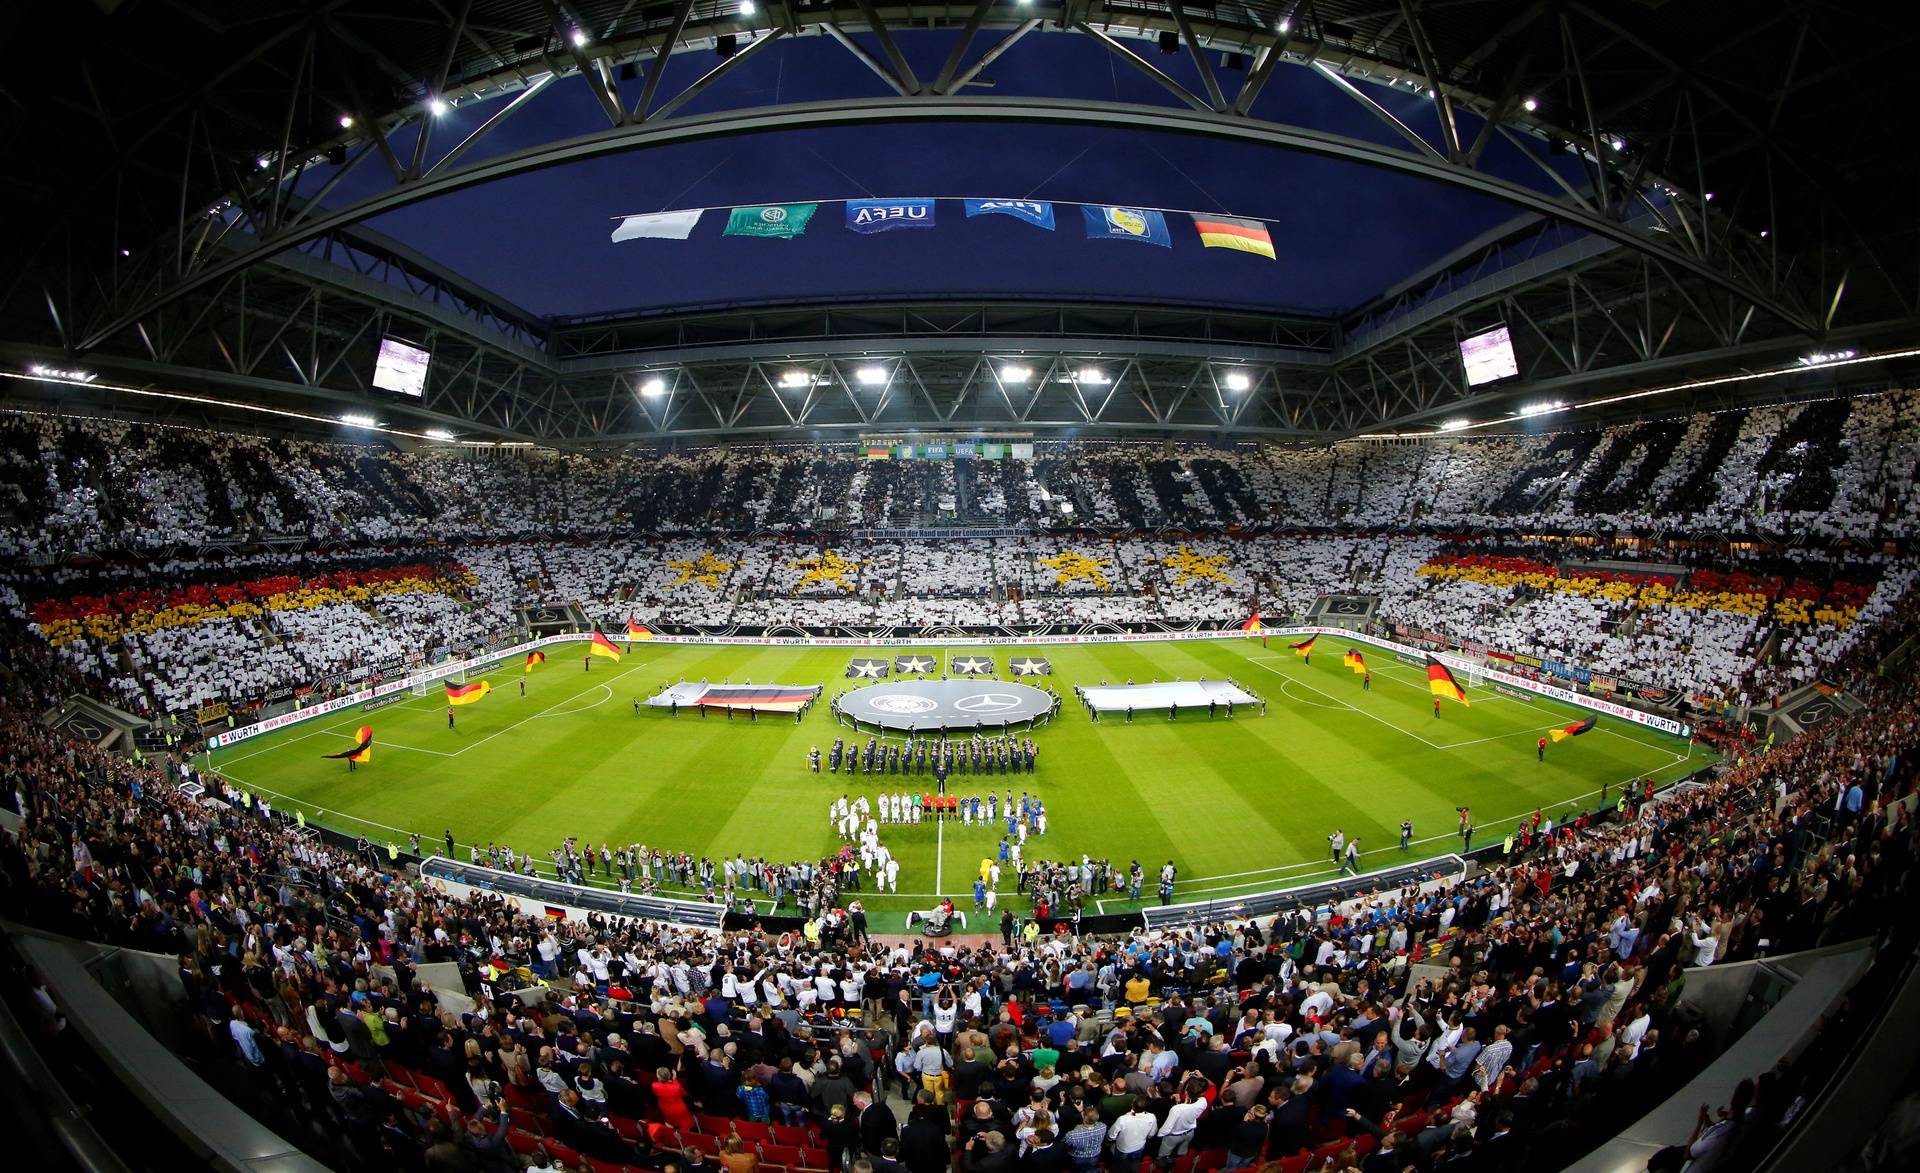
[{"x": 1345, "y": 231}]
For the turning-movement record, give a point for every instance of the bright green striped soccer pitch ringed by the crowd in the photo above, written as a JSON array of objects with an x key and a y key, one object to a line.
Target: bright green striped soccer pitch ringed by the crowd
[{"x": 1239, "y": 805}]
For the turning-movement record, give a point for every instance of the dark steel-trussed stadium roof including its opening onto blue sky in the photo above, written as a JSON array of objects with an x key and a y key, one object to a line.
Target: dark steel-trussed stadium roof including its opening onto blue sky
[{"x": 245, "y": 201}]
